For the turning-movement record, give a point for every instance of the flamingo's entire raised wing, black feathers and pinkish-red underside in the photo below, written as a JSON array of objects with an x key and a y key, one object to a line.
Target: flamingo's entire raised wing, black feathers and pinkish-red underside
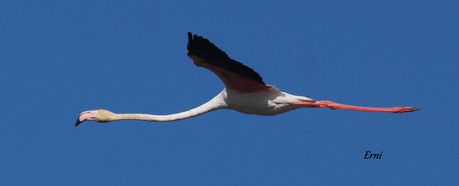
[{"x": 234, "y": 75}]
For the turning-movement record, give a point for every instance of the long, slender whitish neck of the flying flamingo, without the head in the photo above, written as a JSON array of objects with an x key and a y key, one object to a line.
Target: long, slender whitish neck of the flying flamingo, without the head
[{"x": 216, "y": 103}]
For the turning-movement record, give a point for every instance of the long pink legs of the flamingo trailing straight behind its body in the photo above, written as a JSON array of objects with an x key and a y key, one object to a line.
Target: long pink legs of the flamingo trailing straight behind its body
[{"x": 333, "y": 105}]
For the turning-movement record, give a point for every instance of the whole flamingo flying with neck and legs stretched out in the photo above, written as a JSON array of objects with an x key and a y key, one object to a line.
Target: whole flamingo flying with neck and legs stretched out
[{"x": 244, "y": 91}]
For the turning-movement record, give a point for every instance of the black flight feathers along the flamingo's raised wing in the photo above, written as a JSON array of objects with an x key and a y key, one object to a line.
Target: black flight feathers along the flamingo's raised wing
[{"x": 211, "y": 54}]
